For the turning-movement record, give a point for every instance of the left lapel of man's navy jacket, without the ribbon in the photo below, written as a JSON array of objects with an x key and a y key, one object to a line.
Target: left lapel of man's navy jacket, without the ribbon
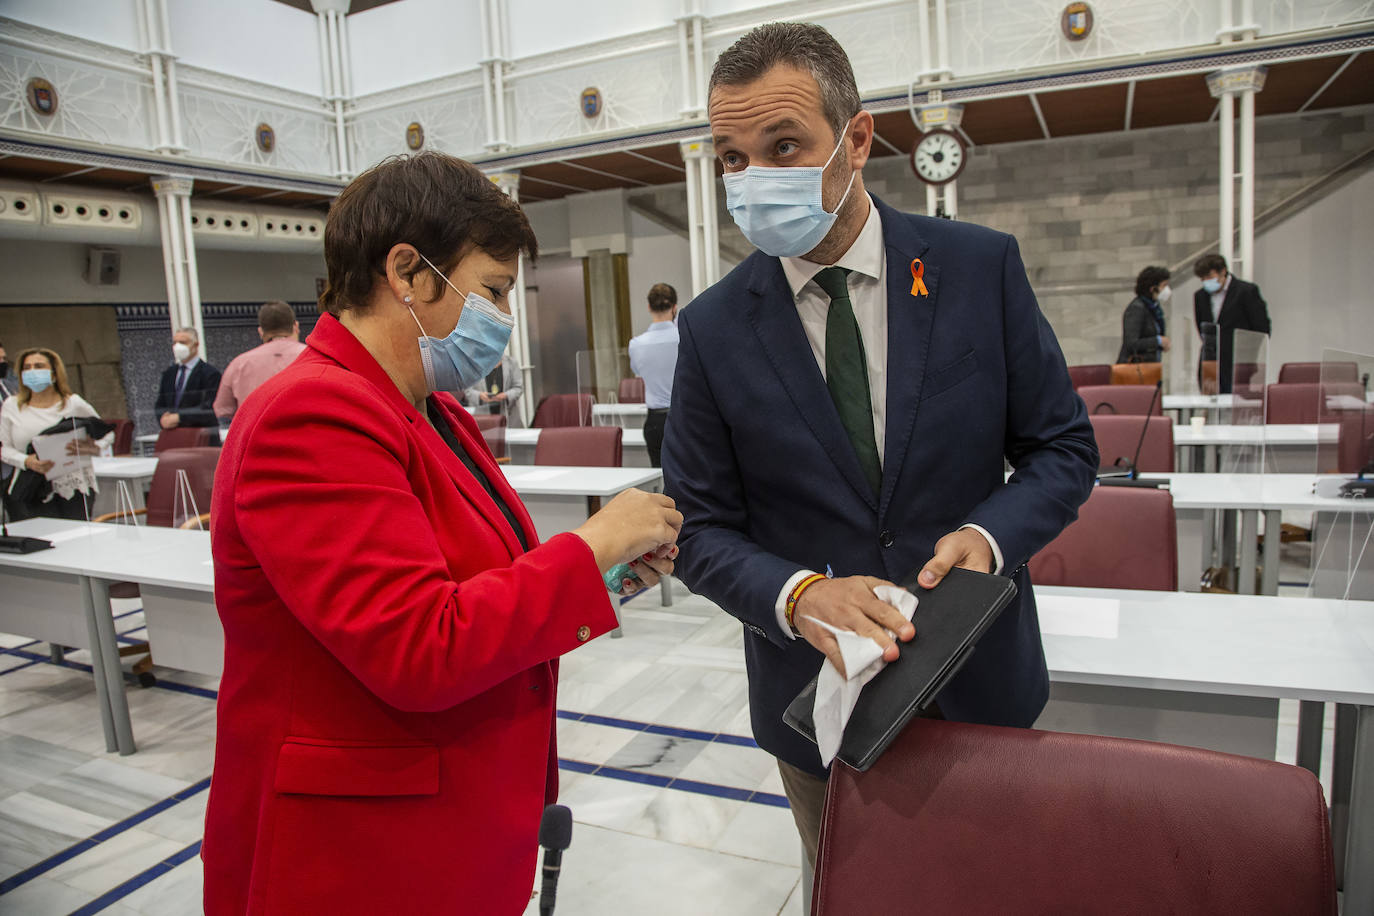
[{"x": 773, "y": 312}]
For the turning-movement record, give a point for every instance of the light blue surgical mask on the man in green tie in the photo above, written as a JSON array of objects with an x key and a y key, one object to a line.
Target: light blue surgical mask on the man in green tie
[{"x": 780, "y": 211}]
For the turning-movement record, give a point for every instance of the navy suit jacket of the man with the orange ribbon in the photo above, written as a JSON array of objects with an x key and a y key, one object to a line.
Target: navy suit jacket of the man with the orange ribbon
[{"x": 769, "y": 483}]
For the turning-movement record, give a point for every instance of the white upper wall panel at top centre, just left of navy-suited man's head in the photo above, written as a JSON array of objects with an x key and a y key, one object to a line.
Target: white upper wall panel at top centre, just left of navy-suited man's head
[{"x": 538, "y": 27}]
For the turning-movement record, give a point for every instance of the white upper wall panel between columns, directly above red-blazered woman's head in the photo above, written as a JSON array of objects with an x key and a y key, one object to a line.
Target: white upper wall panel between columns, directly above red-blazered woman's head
[{"x": 414, "y": 41}]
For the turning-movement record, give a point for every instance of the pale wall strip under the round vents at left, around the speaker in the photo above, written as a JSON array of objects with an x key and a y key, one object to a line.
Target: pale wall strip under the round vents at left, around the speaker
[{"x": 54, "y": 273}]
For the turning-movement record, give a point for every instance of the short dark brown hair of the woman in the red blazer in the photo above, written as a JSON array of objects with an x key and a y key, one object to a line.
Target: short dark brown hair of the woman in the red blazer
[{"x": 442, "y": 205}]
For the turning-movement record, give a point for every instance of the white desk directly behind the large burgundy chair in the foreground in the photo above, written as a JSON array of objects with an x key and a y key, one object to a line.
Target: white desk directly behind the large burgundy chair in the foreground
[{"x": 1217, "y": 646}]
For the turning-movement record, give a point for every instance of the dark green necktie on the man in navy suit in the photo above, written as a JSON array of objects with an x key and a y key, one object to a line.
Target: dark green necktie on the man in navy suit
[{"x": 847, "y": 373}]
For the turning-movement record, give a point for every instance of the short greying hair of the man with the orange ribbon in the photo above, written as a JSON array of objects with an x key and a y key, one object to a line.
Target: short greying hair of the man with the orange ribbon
[{"x": 799, "y": 45}]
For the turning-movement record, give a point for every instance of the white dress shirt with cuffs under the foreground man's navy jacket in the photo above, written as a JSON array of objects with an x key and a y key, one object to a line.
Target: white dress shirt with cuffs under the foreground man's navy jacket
[{"x": 868, "y": 264}]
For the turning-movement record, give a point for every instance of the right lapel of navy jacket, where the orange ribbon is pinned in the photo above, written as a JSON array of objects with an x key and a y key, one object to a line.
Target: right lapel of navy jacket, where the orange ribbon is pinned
[{"x": 910, "y": 322}]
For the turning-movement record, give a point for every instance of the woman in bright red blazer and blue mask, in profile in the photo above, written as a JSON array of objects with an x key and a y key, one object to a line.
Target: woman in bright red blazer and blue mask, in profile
[{"x": 391, "y": 620}]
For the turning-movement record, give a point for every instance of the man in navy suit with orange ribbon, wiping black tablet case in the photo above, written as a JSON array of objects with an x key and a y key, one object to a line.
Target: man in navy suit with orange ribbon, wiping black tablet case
[{"x": 844, "y": 400}]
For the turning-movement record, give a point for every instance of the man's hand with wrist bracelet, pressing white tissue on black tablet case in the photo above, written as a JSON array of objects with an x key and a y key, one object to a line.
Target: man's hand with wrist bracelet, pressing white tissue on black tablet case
[{"x": 850, "y": 605}]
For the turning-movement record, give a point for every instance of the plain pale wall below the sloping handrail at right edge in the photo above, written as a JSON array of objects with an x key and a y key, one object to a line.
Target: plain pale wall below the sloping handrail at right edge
[{"x": 1316, "y": 274}]
